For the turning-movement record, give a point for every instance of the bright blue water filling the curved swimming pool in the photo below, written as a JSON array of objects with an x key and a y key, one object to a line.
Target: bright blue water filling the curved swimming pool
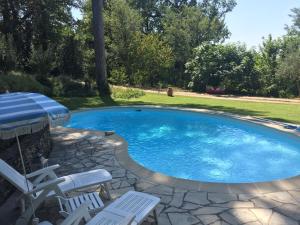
[{"x": 199, "y": 146}]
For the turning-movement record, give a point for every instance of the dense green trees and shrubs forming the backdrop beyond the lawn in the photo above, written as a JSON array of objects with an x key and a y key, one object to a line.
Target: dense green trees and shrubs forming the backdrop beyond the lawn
[{"x": 153, "y": 43}]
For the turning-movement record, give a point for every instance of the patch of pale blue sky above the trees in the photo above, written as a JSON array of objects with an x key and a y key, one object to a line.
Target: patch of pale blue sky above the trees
[{"x": 251, "y": 20}]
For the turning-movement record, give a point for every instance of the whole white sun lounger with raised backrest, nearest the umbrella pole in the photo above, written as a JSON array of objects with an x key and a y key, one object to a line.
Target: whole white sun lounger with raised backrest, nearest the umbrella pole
[{"x": 46, "y": 184}]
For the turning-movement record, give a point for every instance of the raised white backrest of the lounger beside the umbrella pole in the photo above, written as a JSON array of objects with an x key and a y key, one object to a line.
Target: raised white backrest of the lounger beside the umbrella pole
[{"x": 14, "y": 177}]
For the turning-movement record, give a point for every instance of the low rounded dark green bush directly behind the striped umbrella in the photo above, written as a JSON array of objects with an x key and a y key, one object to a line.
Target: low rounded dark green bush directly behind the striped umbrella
[{"x": 16, "y": 81}]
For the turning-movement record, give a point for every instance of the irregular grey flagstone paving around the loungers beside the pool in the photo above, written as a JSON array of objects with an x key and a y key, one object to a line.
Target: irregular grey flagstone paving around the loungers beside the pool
[{"x": 78, "y": 151}]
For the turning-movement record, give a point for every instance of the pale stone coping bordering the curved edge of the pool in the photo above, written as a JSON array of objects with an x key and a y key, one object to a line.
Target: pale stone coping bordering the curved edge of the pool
[{"x": 127, "y": 162}]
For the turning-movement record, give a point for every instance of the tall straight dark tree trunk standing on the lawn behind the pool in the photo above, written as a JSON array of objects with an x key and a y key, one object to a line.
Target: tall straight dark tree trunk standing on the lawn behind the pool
[{"x": 98, "y": 28}]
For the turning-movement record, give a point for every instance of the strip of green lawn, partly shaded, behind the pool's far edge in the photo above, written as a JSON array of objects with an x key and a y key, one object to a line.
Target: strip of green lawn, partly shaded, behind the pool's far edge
[{"x": 281, "y": 112}]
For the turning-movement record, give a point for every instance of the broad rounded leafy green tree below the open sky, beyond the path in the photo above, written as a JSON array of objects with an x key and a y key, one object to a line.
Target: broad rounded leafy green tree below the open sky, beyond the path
[{"x": 216, "y": 65}]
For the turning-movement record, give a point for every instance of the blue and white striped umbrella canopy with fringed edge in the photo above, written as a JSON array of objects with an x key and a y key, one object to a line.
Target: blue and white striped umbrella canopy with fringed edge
[{"x": 25, "y": 113}]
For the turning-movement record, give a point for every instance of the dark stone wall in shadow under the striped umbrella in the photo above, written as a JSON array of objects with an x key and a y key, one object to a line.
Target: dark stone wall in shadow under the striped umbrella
[{"x": 32, "y": 145}]
